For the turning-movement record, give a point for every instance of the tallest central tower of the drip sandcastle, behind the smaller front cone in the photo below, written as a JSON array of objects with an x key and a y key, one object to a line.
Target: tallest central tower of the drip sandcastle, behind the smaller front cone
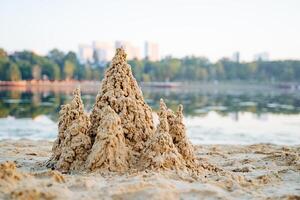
[{"x": 120, "y": 91}]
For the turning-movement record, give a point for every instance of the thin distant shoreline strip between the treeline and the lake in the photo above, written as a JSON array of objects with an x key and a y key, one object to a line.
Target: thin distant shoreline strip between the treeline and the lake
[{"x": 92, "y": 86}]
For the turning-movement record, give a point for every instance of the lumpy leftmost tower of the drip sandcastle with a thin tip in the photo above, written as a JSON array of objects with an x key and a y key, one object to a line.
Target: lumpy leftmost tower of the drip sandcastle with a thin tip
[{"x": 70, "y": 149}]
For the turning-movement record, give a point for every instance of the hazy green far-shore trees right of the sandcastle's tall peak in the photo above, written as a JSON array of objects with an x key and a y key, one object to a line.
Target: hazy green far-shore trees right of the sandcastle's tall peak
[{"x": 201, "y": 69}]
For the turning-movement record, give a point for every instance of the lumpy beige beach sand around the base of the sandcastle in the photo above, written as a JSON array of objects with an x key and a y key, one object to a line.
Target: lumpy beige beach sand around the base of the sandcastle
[{"x": 261, "y": 171}]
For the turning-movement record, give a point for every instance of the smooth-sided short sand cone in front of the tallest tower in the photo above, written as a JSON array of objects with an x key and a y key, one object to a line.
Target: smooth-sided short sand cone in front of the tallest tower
[{"x": 109, "y": 151}]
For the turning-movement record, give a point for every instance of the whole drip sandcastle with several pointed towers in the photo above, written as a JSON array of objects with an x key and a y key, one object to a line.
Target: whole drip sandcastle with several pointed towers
[{"x": 119, "y": 135}]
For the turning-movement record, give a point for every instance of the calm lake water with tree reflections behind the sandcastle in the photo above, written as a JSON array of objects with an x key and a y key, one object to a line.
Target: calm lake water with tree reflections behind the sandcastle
[{"x": 212, "y": 115}]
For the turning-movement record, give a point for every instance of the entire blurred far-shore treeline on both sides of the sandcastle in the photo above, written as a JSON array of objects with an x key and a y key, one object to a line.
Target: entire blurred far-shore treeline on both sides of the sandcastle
[{"x": 57, "y": 65}]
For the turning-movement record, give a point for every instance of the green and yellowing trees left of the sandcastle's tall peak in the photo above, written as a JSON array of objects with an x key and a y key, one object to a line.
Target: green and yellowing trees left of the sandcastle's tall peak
[{"x": 57, "y": 65}]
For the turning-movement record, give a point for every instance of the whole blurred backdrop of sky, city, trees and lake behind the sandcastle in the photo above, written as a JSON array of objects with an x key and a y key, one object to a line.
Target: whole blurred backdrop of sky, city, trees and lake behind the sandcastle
[{"x": 234, "y": 65}]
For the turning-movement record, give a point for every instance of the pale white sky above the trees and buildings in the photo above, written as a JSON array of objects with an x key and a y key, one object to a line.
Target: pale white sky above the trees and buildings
[{"x": 210, "y": 28}]
